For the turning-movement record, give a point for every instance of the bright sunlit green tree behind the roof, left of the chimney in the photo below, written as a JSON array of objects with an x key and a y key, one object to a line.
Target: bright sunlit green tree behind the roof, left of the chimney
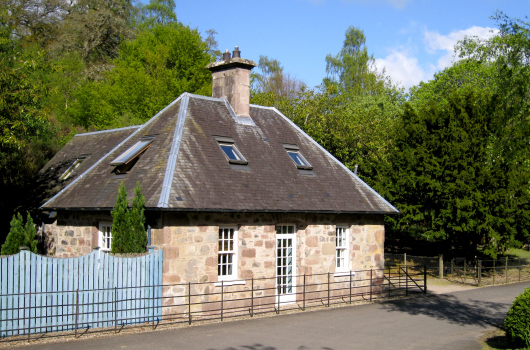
[{"x": 152, "y": 70}]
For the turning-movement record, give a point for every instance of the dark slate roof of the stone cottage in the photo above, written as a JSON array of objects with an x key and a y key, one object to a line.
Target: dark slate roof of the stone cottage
[{"x": 185, "y": 169}]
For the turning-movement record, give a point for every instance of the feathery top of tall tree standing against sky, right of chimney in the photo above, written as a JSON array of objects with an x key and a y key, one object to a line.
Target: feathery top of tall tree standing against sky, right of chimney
[{"x": 353, "y": 69}]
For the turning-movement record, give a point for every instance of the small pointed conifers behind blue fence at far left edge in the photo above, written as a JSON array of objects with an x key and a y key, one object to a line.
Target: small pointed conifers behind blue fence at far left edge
[{"x": 20, "y": 235}]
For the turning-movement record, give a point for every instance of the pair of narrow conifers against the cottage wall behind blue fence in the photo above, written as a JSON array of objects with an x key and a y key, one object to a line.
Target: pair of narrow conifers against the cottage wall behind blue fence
[{"x": 128, "y": 225}]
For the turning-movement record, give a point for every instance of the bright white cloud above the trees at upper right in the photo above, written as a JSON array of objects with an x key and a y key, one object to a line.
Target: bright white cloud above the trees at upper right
[{"x": 405, "y": 69}]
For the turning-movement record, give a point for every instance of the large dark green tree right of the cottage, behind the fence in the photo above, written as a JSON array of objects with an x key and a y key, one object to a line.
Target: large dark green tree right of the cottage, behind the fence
[{"x": 450, "y": 182}]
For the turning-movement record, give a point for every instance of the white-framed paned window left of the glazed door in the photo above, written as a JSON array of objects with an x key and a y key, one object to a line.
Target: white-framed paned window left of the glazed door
[{"x": 227, "y": 255}]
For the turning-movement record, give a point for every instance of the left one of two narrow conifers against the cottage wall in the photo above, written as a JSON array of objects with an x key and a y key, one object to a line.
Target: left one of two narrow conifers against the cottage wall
[{"x": 120, "y": 223}]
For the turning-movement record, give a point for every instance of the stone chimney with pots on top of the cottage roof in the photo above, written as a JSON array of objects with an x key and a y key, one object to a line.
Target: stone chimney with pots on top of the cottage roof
[{"x": 231, "y": 79}]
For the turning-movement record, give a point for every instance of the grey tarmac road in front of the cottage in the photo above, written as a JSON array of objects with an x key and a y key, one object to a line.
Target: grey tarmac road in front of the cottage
[{"x": 447, "y": 321}]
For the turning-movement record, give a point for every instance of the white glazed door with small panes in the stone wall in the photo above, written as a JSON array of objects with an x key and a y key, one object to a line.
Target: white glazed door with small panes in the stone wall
[{"x": 286, "y": 263}]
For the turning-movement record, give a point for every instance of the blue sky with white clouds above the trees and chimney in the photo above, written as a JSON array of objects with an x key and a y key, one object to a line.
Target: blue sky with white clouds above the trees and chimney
[{"x": 412, "y": 39}]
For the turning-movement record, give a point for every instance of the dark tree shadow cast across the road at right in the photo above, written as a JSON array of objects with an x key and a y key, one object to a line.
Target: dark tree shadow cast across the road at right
[{"x": 450, "y": 309}]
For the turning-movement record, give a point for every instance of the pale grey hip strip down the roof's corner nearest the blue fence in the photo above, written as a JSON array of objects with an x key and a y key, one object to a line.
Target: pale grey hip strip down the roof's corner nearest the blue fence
[{"x": 163, "y": 202}]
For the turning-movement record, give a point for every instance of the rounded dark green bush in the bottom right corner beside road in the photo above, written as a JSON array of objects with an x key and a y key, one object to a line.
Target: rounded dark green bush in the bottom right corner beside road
[{"x": 517, "y": 322}]
